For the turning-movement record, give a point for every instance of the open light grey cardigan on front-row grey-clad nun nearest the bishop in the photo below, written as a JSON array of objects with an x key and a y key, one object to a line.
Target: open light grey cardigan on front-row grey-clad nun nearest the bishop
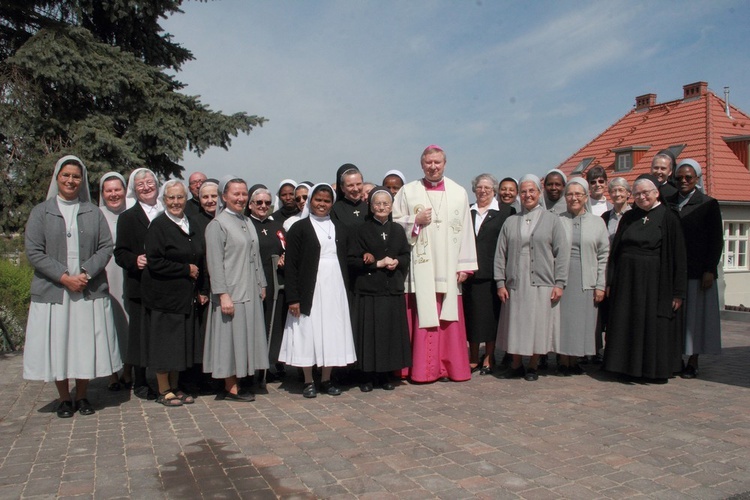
[{"x": 550, "y": 252}]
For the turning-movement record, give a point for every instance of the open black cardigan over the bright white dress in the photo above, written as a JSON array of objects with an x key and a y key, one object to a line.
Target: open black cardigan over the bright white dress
[{"x": 302, "y": 258}]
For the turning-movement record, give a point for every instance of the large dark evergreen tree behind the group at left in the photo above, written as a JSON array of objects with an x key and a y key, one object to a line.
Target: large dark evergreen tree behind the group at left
[{"x": 87, "y": 77}]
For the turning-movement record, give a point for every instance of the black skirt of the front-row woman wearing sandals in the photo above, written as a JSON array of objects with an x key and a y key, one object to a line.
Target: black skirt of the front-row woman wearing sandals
[{"x": 171, "y": 340}]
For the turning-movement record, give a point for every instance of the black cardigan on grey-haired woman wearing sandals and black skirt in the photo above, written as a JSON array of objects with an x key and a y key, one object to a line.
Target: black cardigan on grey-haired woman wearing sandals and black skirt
[{"x": 166, "y": 284}]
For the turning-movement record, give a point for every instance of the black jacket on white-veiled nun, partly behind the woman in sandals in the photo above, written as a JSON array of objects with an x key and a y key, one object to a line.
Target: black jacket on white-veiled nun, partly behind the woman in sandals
[{"x": 132, "y": 226}]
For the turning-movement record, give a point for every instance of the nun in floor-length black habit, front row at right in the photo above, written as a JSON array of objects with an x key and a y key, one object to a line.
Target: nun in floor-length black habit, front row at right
[{"x": 646, "y": 284}]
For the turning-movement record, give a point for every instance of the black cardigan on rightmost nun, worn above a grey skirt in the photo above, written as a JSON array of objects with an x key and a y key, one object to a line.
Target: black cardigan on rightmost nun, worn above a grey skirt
[{"x": 704, "y": 233}]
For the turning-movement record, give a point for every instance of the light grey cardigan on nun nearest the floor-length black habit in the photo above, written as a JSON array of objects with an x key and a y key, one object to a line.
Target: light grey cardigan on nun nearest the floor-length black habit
[{"x": 594, "y": 248}]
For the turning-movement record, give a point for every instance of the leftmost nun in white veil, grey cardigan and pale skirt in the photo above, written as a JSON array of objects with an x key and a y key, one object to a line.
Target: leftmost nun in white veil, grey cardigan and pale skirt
[{"x": 70, "y": 332}]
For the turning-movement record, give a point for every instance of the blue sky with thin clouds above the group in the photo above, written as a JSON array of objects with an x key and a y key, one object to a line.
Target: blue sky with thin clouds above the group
[{"x": 504, "y": 87}]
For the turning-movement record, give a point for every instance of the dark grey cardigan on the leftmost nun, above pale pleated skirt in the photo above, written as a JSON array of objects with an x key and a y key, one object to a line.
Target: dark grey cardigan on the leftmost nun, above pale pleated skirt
[{"x": 47, "y": 251}]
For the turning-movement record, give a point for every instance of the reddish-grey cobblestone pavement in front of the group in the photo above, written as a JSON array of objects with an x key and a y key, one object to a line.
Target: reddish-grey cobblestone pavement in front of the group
[{"x": 579, "y": 437}]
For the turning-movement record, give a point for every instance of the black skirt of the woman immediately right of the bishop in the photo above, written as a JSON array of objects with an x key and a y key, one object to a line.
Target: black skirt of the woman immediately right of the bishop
[{"x": 481, "y": 310}]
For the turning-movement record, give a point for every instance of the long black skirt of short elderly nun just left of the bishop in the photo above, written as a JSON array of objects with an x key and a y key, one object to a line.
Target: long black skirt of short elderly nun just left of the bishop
[{"x": 381, "y": 333}]
